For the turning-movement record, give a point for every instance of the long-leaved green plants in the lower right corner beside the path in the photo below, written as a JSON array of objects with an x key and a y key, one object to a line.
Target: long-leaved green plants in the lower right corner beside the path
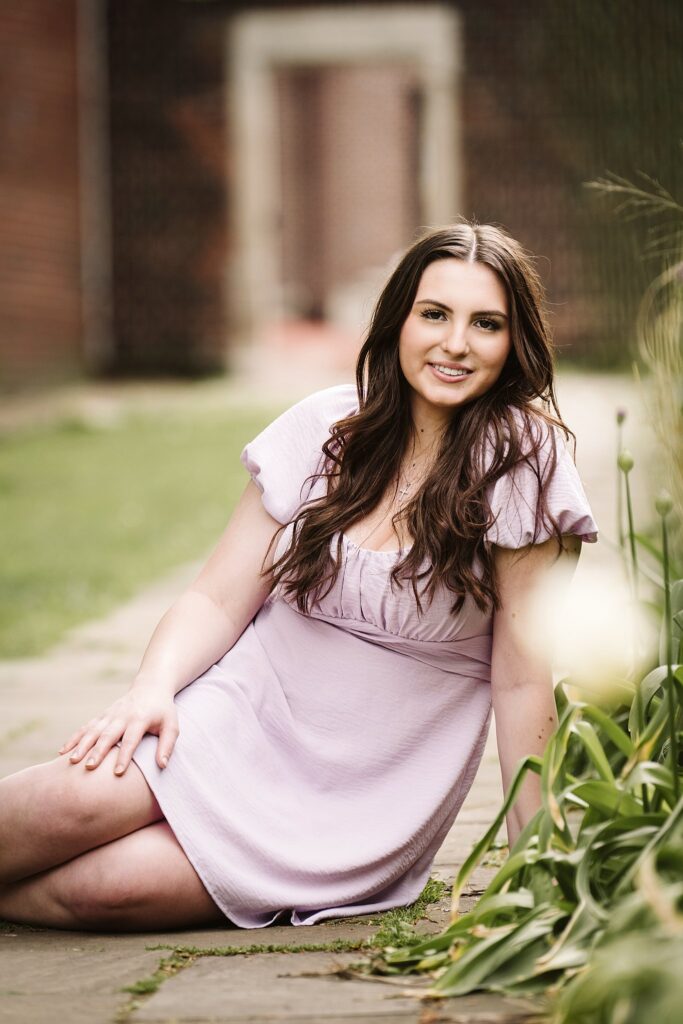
[{"x": 589, "y": 906}]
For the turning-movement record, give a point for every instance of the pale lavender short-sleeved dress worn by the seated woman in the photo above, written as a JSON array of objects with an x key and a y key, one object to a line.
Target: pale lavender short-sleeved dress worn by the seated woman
[{"x": 324, "y": 758}]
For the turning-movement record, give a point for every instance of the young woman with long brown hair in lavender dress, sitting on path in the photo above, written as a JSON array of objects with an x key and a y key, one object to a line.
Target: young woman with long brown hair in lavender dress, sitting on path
[{"x": 344, "y": 643}]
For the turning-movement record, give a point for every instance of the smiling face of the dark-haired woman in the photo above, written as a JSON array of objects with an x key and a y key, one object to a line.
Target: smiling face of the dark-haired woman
[{"x": 456, "y": 338}]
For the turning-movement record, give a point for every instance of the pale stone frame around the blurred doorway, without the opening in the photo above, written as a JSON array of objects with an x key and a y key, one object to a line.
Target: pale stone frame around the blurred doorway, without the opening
[{"x": 426, "y": 35}]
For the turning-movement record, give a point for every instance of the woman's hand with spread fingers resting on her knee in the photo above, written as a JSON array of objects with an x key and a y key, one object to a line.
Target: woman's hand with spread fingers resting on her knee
[{"x": 145, "y": 709}]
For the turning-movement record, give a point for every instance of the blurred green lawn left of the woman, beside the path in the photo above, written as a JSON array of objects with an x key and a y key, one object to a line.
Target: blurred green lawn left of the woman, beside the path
[{"x": 91, "y": 514}]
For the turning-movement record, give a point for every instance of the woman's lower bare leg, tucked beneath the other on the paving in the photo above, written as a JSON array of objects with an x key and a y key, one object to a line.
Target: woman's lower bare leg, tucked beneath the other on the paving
[{"x": 143, "y": 882}]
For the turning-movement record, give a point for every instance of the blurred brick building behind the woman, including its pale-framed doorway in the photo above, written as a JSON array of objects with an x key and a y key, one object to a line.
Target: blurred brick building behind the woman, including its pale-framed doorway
[{"x": 180, "y": 177}]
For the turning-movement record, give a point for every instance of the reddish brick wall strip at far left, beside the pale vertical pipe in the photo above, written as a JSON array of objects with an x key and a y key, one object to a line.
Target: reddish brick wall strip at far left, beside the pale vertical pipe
[{"x": 40, "y": 318}]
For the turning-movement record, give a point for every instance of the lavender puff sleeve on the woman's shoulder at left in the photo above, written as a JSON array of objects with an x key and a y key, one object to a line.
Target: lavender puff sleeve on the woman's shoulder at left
[{"x": 282, "y": 458}]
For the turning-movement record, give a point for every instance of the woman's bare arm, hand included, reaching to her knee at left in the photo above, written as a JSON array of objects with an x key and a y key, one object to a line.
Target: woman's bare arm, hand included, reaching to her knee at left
[{"x": 199, "y": 628}]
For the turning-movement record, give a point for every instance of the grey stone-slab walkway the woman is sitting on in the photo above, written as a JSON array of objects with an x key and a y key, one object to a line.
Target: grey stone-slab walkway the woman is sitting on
[{"x": 48, "y": 976}]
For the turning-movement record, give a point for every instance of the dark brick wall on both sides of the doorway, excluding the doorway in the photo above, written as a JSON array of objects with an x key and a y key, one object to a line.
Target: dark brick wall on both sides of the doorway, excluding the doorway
[{"x": 553, "y": 95}]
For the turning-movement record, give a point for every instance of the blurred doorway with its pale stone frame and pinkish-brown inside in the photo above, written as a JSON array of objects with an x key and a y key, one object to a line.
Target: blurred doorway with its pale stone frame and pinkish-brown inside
[{"x": 346, "y": 142}]
